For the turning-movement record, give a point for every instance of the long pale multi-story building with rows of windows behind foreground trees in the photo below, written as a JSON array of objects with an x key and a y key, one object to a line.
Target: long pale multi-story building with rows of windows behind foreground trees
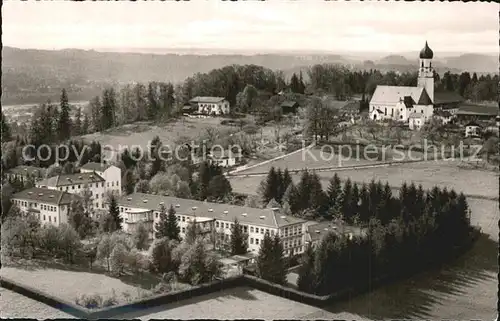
[{"x": 216, "y": 219}]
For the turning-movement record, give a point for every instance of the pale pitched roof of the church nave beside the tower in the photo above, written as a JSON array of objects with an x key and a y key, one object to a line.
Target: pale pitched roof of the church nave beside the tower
[{"x": 395, "y": 94}]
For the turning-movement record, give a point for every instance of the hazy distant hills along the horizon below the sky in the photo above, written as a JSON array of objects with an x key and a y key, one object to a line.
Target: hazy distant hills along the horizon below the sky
[{"x": 28, "y": 75}]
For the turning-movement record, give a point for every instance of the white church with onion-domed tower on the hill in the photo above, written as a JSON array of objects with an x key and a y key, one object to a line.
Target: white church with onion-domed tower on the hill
[{"x": 403, "y": 103}]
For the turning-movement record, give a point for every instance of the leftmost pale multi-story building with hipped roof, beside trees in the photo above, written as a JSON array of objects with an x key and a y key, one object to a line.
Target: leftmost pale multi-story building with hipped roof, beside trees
[{"x": 50, "y": 206}]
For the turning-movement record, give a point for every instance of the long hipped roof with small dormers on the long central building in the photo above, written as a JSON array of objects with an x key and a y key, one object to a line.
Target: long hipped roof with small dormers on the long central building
[{"x": 224, "y": 212}]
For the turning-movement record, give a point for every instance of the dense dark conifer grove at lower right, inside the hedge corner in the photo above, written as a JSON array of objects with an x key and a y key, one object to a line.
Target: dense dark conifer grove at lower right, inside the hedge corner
[{"x": 427, "y": 231}]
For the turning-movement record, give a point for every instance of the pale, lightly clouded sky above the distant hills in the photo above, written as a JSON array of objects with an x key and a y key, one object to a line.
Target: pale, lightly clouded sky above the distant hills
[{"x": 274, "y": 25}]
